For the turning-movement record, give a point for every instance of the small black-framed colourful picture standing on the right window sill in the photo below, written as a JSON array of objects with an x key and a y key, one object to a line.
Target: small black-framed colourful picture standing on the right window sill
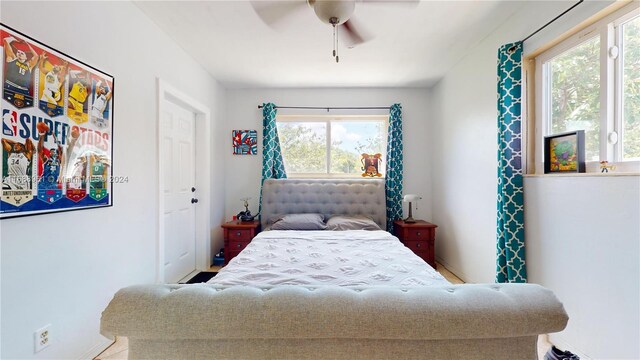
[{"x": 564, "y": 153}]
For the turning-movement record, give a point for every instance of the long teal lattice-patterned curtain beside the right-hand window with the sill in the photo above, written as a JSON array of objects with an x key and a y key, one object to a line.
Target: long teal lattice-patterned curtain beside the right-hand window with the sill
[{"x": 510, "y": 228}]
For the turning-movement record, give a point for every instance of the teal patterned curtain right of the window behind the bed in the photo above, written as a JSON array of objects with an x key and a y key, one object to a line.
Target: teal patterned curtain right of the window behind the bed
[{"x": 394, "y": 169}]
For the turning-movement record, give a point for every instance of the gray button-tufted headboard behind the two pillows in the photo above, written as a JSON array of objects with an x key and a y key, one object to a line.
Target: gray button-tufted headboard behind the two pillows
[{"x": 324, "y": 196}]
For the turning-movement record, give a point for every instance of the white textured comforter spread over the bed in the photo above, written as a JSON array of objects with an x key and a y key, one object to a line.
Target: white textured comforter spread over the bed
[{"x": 345, "y": 258}]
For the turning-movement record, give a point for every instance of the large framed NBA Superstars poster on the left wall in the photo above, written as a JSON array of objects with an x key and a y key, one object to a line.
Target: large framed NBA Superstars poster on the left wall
[{"x": 57, "y": 130}]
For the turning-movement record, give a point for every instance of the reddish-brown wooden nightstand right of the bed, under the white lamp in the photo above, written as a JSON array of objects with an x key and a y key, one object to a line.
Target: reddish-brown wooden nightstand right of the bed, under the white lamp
[{"x": 419, "y": 237}]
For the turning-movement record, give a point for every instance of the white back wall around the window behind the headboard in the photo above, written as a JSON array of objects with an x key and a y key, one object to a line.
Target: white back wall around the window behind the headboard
[{"x": 243, "y": 173}]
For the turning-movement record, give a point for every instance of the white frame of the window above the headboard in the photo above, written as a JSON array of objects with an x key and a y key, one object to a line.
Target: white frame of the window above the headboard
[{"x": 327, "y": 119}]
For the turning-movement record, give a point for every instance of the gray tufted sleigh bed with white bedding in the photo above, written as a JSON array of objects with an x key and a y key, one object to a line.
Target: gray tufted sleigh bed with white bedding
[{"x": 312, "y": 294}]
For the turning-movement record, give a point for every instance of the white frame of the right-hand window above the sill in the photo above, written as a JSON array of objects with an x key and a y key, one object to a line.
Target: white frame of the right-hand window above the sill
[{"x": 609, "y": 31}]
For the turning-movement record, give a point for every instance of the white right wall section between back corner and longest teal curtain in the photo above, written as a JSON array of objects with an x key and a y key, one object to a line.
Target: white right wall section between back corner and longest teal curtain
[{"x": 464, "y": 134}]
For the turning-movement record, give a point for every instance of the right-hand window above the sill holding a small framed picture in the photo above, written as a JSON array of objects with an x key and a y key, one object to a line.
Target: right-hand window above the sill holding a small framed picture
[{"x": 591, "y": 82}]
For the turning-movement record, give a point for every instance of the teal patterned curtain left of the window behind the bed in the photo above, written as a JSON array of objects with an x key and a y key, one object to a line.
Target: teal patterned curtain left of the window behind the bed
[{"x": 272, "y": 164}]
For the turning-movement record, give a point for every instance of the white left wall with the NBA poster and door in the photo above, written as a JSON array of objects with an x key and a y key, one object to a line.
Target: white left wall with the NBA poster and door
[{"x": 62, "y": 269}]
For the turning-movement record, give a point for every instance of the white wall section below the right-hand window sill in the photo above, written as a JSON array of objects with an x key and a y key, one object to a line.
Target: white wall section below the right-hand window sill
[{"x": 583, "y": 242}]
